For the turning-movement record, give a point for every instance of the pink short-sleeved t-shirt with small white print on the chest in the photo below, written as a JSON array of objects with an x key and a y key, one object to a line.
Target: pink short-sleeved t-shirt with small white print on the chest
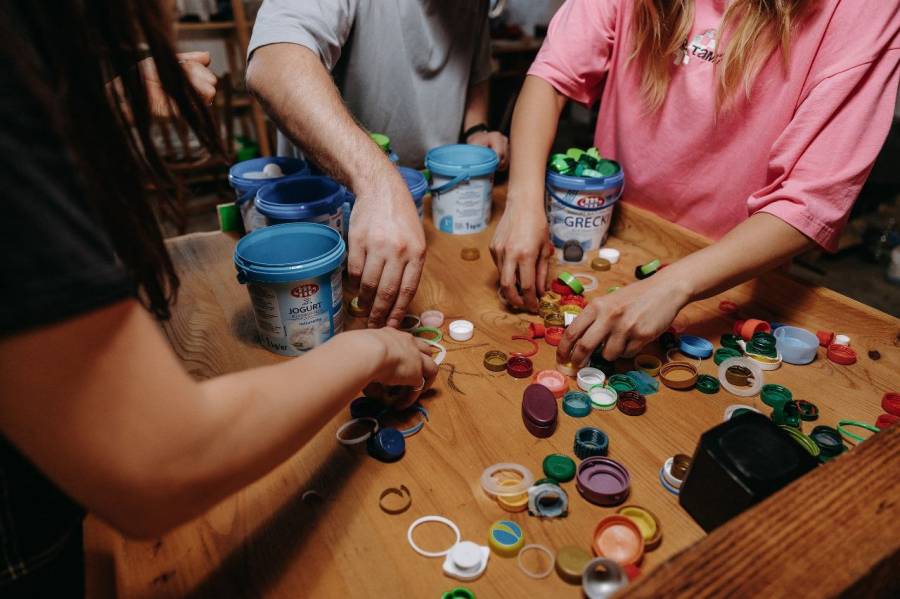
[{"x": 799, "y": 149}]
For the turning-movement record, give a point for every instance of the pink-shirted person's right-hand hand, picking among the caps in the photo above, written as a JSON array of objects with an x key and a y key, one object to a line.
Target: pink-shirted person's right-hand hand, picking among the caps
[{"x": 624, "y": 321}]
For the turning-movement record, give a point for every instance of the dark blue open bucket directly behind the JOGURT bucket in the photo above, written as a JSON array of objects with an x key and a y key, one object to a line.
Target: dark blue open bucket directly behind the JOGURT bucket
[{"x": 303, "y": 199}]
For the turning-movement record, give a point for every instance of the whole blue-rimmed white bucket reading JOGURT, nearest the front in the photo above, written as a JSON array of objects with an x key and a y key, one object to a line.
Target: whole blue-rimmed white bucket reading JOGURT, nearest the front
[{"x": 293, "y": 274}]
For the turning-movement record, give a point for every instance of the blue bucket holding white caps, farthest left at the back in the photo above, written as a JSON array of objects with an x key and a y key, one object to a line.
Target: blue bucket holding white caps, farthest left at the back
[{"x": 247, "y": 177}]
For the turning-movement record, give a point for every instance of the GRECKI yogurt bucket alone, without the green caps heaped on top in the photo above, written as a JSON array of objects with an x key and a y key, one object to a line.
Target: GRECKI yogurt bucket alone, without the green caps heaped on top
[{"x": 580, "y": 208}]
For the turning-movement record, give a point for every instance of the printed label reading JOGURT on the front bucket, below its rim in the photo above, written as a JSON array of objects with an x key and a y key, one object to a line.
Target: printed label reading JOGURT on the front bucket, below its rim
[{"x": 293, "y": 318}]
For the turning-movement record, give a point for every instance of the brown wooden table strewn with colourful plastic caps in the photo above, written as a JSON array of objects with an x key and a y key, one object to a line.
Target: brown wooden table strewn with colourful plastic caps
[{"x": 837, "y": 529}]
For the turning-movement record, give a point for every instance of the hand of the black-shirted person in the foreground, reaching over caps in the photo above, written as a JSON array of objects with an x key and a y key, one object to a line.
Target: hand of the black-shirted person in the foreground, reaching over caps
[{"x": 406, "y": 369}]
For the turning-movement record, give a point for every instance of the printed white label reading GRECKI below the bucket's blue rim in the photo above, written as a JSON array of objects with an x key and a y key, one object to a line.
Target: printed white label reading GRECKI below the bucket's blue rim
[{"x": 582, "y": 216}]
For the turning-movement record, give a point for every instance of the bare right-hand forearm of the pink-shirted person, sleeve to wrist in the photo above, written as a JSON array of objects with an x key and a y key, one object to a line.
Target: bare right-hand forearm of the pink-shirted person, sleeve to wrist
[{"x": 757, "y": 245}]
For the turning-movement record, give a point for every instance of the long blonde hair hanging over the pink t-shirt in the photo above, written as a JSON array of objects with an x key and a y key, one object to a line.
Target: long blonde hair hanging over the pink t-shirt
[{"x": 753, "y": 28}]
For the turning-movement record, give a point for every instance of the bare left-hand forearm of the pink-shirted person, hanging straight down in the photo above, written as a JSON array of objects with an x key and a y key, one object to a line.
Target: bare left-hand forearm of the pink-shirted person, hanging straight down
[{"x": 533, "y": 129}]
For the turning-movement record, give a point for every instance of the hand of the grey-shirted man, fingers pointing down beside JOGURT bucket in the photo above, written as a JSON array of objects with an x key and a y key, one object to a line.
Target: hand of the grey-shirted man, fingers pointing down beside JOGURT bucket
[{"x": 387, "y": 248}]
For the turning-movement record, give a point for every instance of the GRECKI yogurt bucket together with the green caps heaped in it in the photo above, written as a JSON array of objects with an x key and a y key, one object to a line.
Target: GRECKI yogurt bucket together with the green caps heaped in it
[{"x": 581, "y": 191}]
